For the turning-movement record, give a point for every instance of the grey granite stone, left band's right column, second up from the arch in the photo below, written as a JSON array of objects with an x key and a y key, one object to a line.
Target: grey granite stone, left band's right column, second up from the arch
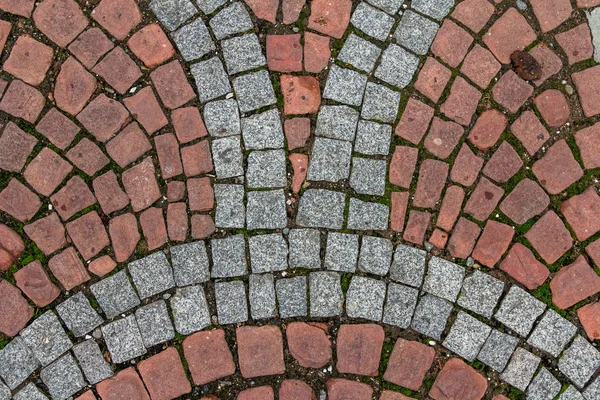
[{"x": 266, "y": 169}]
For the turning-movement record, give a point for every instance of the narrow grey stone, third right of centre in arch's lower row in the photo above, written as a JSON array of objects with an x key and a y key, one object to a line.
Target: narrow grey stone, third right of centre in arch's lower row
[{"x": 400, "y": 305}]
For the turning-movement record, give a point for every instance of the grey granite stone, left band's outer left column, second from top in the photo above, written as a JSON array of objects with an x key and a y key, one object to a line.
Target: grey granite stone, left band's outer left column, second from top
[{"x": 193, "y": 40}]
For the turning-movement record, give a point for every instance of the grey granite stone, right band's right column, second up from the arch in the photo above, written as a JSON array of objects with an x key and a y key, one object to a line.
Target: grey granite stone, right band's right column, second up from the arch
[{"x": 368, "y": 176}]
